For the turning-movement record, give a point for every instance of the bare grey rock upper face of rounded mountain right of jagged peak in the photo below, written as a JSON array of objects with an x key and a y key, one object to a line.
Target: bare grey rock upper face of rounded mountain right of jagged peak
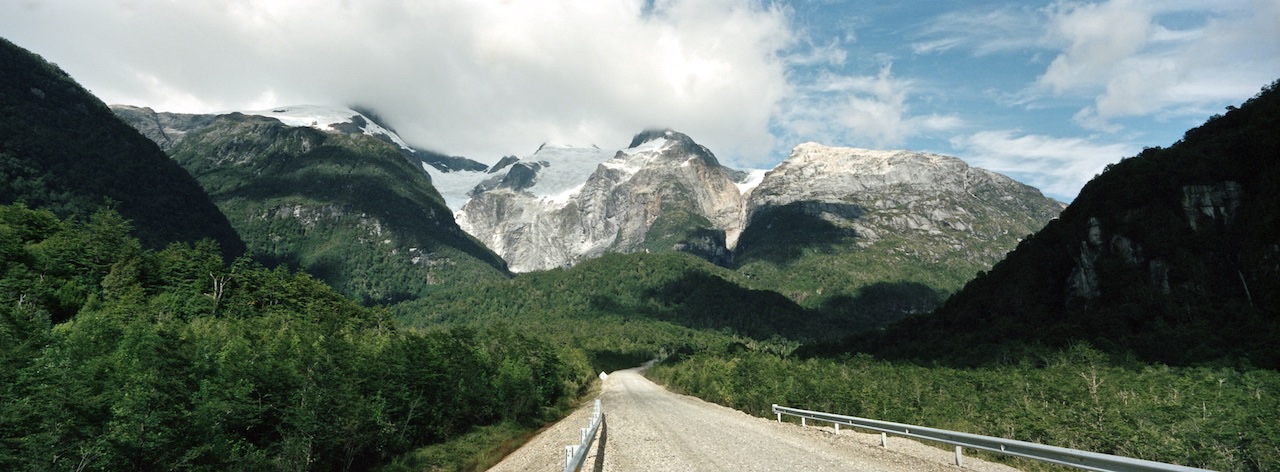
[{"x": 872, "y": 195}]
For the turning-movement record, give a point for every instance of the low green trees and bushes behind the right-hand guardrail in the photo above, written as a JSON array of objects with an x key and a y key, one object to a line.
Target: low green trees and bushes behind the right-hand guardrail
[{"x": 1212, "y": 418}]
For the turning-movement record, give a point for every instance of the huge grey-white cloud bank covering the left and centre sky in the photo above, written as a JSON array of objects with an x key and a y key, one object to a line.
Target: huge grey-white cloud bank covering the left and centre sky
[{"x": 481, "y": 79}]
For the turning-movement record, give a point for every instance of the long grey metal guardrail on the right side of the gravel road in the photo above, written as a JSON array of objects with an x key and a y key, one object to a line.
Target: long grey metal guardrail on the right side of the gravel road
[{"x": 1031, "y": 451}]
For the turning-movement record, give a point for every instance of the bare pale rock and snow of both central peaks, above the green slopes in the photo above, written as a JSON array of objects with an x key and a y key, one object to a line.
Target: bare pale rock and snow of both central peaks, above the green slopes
[{"x": 665, "y": 193}]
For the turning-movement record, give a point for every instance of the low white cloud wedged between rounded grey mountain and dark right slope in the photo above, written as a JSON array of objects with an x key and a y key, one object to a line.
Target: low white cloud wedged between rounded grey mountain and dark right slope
[{"x": 1059, "y": 167}]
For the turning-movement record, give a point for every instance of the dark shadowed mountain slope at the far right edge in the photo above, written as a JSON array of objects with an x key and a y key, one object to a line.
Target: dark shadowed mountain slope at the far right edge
[{"x": 1171, "y": 256}]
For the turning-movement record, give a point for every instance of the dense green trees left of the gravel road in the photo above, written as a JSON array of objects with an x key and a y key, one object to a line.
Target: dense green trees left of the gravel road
[{"x": 115, "y": 358}]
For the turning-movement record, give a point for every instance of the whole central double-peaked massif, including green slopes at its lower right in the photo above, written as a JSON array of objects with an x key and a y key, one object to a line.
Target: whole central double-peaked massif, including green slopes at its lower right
[{"x": 858, "y": 235}]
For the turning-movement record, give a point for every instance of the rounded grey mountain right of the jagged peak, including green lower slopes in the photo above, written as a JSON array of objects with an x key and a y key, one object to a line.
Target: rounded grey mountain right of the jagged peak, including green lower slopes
[{"x": 880, "y": 235}]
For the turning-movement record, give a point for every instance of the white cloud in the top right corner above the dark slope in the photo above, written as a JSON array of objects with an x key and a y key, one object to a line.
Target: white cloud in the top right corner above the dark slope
[{"x": 1123, "y": 56}]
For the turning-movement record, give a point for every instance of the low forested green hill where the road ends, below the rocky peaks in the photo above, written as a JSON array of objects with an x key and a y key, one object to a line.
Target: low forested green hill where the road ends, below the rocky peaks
[{"x": 623, "y": 309}]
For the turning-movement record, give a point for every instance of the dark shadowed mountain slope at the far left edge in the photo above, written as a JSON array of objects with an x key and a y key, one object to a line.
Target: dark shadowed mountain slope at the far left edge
[{"x": 63, "y": 150}]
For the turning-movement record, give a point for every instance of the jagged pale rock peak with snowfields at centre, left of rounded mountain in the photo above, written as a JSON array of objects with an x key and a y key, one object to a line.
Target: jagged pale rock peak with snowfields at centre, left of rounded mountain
[{"x": 564, "y": 205}]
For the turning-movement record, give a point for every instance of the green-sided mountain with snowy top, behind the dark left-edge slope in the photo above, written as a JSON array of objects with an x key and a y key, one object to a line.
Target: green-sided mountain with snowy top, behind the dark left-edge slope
[{"x": 330, "y": 191}]
